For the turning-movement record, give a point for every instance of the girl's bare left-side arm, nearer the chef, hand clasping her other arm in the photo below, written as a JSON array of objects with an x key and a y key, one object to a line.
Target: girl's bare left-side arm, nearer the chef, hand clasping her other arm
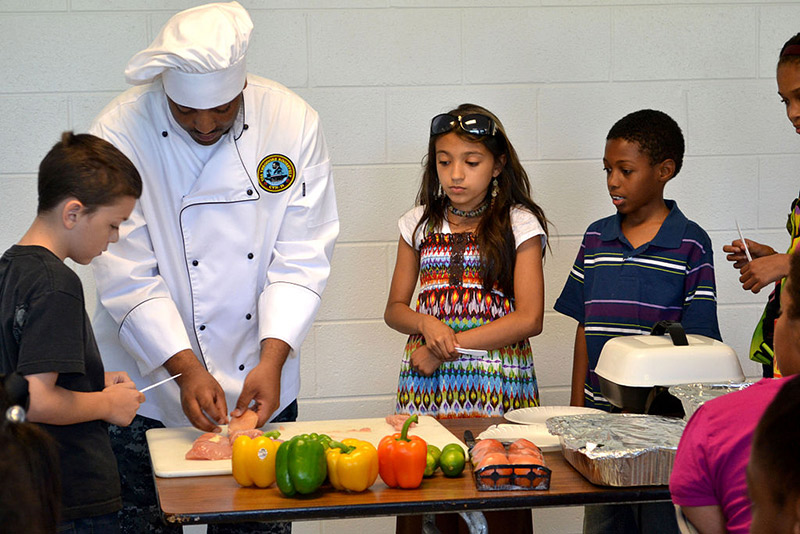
[{"x": 439, "y": 337}]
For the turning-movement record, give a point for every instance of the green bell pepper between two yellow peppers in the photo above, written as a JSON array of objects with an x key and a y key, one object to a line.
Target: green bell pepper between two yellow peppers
[{"x": 300, "y": 464}]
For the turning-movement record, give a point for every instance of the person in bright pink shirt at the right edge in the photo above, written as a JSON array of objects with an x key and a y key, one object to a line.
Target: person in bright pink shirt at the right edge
[{"x": 709, "y": 480}]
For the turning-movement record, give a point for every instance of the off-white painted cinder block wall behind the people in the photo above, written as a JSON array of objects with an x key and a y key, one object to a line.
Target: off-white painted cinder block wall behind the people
[{"x": 559, "y": 73}]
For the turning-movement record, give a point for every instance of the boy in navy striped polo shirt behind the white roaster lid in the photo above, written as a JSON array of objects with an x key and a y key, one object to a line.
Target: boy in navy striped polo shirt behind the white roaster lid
[{"x": 646, "y": 263}]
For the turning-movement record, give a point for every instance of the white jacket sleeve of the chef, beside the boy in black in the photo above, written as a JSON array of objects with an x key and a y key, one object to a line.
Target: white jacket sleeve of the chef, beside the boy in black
[{"x": 132, "y": 291}]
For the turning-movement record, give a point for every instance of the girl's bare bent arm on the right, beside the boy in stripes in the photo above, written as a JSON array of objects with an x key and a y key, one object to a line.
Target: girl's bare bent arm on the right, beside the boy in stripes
[{"x": 527, "y": 318}]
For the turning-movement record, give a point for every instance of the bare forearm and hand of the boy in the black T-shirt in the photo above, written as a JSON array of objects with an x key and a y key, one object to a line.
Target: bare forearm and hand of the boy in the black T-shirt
[{"x": 54, "y": 405}]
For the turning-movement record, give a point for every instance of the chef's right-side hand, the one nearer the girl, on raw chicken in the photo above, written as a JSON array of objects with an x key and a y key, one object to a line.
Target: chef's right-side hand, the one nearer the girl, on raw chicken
[{"x": 262, "y": 386}]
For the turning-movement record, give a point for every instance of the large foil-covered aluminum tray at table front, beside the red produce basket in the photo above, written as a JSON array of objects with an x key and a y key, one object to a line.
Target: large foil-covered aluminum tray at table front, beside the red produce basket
[{"x": 620, "y": 449}]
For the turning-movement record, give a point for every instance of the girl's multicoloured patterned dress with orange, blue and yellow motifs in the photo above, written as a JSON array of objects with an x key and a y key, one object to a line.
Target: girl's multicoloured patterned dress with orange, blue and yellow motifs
[{"x": 452, "y": 290}]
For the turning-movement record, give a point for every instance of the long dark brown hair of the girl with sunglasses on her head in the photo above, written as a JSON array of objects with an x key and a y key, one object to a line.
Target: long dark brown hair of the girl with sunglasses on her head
[{"x": 494, "y": 235}]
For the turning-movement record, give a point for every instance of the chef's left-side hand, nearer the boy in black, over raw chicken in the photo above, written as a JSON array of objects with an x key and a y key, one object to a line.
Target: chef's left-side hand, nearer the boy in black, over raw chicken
[{"x": 202, "y": 398}]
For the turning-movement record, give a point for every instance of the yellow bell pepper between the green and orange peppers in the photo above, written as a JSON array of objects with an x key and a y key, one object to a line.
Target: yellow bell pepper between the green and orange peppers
[{"x": 352, "y": 464}]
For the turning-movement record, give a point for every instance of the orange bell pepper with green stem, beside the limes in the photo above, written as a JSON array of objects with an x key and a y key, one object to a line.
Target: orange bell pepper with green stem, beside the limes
[{"x": 402, "y": 458}]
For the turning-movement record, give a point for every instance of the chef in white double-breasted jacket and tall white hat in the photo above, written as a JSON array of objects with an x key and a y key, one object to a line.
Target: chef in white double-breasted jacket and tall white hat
[{"x": 218, "y": 272}]
